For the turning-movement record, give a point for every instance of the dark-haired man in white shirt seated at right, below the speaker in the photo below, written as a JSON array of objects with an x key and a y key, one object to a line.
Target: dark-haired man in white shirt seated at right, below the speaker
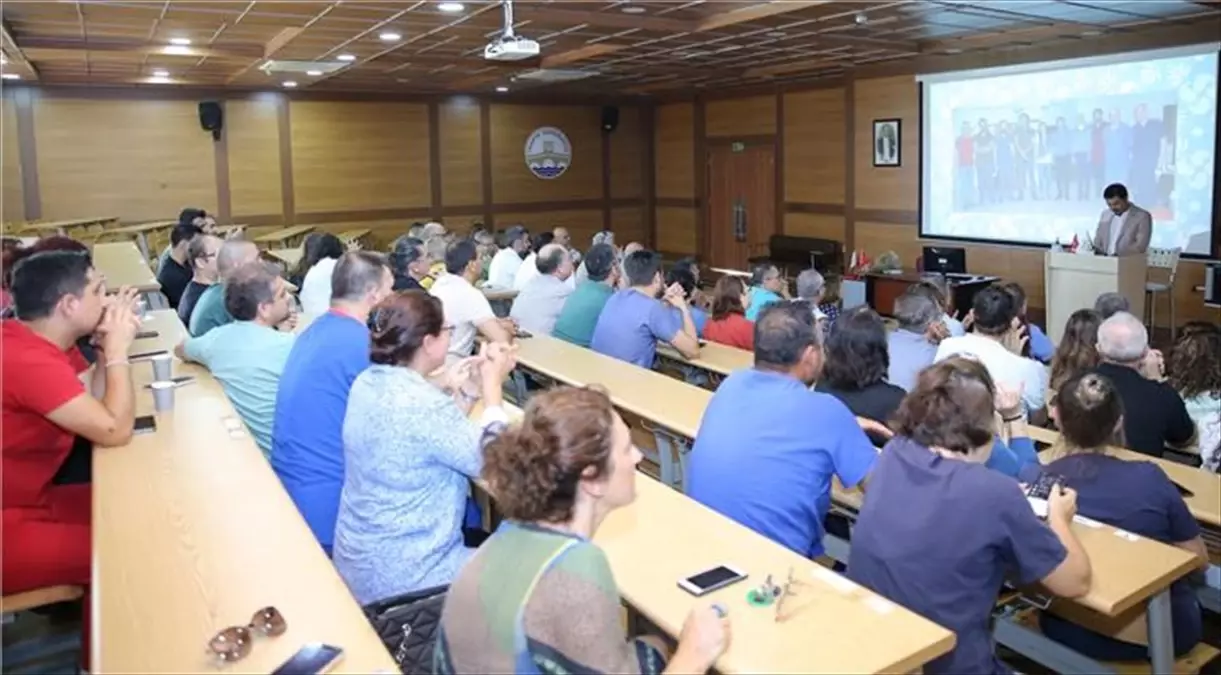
[{"x": 998, "y": 344}]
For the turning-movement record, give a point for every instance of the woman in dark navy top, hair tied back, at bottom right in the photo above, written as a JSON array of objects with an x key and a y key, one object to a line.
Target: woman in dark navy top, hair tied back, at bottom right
[{"x": 1134, "y": 496}]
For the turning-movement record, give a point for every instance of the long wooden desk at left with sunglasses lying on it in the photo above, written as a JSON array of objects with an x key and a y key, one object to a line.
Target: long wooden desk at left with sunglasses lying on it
[{"x": 194, "y": 533}]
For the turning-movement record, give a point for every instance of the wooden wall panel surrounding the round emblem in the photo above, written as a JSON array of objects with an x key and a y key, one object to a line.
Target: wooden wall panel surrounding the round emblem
[{"x": 513, "y": 182}]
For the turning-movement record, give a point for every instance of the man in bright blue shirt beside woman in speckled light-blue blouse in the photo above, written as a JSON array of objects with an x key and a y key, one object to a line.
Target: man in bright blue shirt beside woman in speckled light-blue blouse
[{"x": 308, "y": 434}]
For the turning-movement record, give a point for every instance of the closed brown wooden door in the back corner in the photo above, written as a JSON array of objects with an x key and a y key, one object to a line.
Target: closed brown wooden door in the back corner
[{"x": 742, "y": 204}]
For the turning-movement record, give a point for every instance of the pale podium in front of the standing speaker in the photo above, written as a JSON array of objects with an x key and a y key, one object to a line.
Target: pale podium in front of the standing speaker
[{"x": 1075, "y": 281}]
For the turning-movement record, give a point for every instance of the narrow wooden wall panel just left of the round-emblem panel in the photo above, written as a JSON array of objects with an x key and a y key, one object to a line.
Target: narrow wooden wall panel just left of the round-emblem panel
[{"x": 462, "y": 176}]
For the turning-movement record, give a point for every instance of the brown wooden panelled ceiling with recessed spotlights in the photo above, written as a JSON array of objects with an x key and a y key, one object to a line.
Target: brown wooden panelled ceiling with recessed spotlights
[{"x": 634, "y": 47}]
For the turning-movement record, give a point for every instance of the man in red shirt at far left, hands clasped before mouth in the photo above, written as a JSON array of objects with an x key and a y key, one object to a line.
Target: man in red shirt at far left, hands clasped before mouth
[{"x": 48, "y": 412}]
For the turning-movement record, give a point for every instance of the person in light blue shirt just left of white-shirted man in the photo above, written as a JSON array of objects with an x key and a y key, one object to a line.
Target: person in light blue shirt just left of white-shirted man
[{"x": 913, "y": 345}]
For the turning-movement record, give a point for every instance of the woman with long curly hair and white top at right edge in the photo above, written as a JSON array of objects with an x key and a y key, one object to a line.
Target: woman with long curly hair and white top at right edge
[{"x": 1195, "y": 370}]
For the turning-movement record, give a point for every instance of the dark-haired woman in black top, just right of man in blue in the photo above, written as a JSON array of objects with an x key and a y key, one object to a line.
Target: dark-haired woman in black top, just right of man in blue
[{"x": 857, "y": 367}]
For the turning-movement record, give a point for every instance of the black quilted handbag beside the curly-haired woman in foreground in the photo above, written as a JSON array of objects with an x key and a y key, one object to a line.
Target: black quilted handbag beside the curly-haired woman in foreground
[{"x": 408, "y": 626}]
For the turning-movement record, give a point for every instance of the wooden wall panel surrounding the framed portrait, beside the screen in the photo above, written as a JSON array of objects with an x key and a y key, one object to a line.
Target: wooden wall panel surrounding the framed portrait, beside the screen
[{"x": 885, "y": 99}]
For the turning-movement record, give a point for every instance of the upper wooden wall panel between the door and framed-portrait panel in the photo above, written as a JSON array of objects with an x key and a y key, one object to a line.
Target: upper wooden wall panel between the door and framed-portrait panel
[{"x": 814, "y": 147}]
